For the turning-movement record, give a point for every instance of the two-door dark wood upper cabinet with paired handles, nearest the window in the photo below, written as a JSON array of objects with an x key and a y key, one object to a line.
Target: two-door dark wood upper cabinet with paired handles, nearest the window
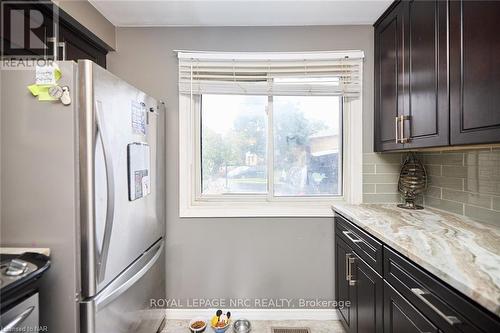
[{"x": 411, "y": 76}]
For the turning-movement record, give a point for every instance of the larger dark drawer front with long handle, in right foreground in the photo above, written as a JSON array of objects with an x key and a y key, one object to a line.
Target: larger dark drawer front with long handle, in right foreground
[{"x": 449, "y": 310}]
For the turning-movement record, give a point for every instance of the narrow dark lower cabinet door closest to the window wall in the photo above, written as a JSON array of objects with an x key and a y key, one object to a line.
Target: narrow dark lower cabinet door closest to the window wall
[{"x": 342, "y": 287}]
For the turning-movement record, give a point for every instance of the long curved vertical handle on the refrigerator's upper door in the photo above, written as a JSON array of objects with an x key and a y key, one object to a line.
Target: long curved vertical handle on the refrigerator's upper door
[{"x": 110, "y": 196}]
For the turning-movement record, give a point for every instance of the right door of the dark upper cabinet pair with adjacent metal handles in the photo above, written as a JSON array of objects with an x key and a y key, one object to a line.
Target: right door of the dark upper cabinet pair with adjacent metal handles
[{"x": 426, "y": 63}]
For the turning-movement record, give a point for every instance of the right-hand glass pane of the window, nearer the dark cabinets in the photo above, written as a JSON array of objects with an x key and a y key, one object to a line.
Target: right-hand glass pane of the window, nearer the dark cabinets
[{"x": 307, "y": 145}]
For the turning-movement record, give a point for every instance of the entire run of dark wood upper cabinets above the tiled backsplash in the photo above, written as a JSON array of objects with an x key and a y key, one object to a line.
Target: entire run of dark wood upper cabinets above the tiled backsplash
[{"x": 448, "y": 74}]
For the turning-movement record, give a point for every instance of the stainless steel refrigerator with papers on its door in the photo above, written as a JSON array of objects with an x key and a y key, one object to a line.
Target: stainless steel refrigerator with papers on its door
[{"x": 86, "y": 180}]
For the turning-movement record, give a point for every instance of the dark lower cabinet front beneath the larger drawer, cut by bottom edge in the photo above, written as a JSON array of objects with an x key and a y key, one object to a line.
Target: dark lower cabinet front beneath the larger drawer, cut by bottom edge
[{"x": 401, "y": 316}]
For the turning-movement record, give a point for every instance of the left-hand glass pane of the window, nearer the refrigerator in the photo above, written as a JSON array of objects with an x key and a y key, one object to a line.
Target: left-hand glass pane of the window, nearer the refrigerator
[{"x": 234, "y": 147}]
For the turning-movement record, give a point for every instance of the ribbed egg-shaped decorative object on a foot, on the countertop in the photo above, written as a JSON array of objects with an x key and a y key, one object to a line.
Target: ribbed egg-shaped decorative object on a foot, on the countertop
[{"x": 412, "y": 181}]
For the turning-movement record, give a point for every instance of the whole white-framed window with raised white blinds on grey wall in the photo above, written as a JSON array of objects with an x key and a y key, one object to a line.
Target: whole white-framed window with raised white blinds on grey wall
[{"x": 267, "y": 138}]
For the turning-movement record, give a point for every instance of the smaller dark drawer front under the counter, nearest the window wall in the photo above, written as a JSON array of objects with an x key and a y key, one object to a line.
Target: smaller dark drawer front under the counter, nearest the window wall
[{"x": 367, "y": 247}]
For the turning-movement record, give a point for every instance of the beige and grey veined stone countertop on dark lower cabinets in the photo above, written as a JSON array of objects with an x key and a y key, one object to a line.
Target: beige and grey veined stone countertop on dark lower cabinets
[{"x": 458, "y": 250}]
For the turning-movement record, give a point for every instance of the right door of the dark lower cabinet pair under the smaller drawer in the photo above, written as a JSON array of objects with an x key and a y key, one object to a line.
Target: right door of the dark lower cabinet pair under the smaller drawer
[{"x": 367, "y": 298}]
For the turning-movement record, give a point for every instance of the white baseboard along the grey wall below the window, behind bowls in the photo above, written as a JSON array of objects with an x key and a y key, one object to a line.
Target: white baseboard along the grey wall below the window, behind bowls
[{"x": 257, "y": 314}]
